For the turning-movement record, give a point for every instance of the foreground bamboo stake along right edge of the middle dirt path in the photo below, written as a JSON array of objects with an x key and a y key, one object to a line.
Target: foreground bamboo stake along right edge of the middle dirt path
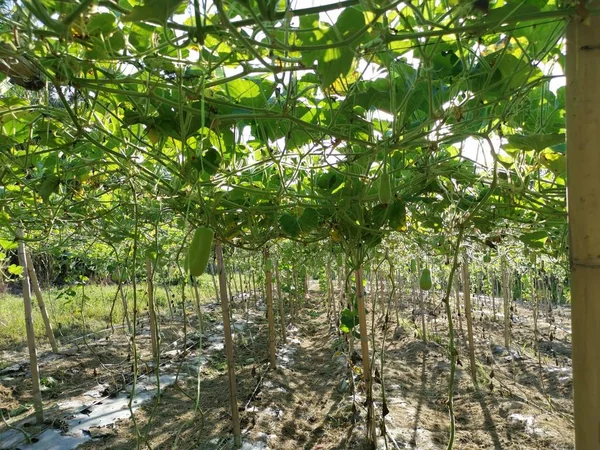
[{"x": 364, "y": 343}]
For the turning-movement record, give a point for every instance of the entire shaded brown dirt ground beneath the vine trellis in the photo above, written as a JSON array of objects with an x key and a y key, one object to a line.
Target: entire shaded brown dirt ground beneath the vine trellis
[{"x": 314, "y": 399}]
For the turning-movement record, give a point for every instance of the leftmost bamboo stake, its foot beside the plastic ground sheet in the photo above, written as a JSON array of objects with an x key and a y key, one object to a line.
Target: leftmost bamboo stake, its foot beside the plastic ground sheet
[{"x": 36, "y": 392}]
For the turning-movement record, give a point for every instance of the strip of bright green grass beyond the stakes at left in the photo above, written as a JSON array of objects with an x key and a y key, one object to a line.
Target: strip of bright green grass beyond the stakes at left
[{"x": 77, "y": 309}]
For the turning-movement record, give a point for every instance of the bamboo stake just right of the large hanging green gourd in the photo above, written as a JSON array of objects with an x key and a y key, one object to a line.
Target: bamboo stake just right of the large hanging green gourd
[{"x": 235, "y": 418}]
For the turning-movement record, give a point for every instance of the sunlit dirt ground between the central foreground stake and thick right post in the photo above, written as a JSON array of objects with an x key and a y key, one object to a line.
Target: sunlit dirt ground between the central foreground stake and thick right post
[{"x": 519, "y": 404}]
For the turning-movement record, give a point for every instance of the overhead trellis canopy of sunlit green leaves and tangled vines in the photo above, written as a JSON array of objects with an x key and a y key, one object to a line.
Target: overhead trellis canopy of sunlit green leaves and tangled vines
[{"x": 267, "y": 119}]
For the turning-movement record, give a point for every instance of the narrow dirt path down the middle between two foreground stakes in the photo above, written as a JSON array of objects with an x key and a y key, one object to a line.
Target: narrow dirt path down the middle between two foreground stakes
[{"x": 301, "y": 405}]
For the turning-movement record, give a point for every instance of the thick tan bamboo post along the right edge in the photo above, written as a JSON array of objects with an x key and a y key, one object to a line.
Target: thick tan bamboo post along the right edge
[{"x": 583, "y": 167}]
